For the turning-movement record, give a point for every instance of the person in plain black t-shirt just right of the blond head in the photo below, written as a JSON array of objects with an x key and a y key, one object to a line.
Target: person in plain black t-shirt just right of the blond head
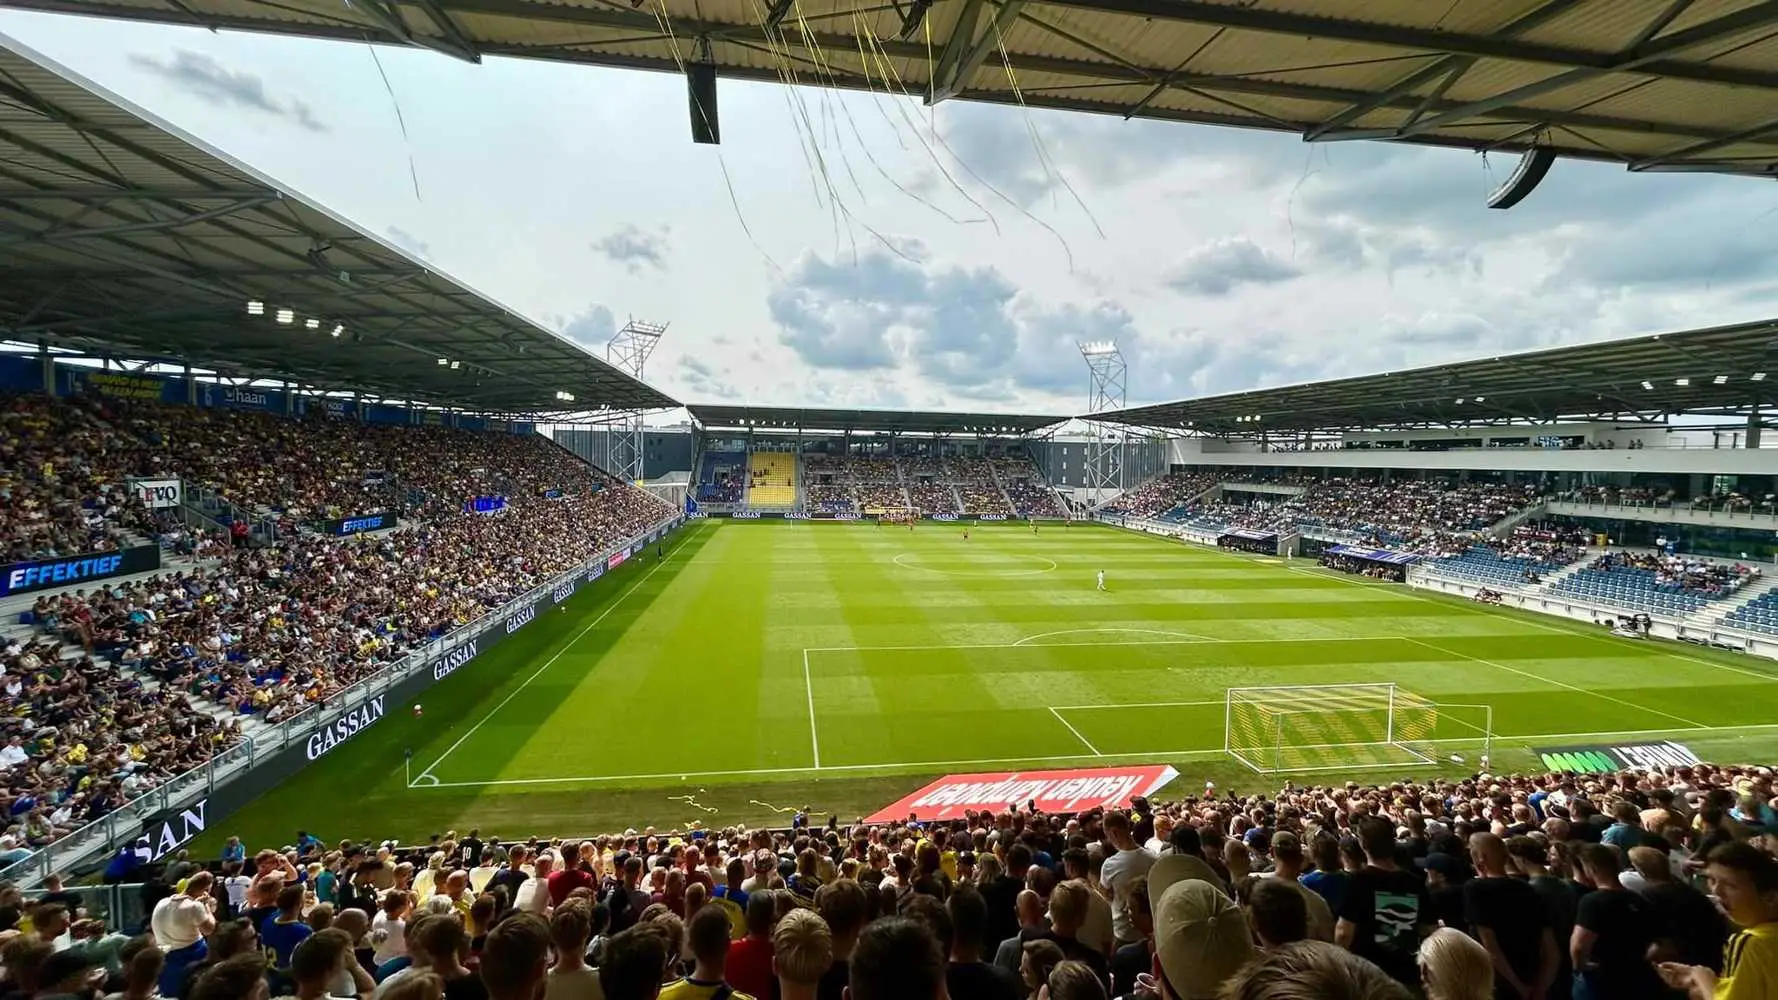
[{"x": 1510, "y": 919}]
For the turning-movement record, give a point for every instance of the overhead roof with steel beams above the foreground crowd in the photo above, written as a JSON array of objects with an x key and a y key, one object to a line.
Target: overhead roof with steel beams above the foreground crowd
[{"x": 1653, "y": 85}]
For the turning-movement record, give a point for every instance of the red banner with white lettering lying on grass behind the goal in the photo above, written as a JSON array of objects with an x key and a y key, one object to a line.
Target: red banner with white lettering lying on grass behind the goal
[{"x": 1053, "y": 791}]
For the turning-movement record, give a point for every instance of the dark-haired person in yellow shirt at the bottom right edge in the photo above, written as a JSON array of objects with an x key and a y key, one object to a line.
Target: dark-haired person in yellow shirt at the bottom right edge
[{"x": 1745, "y": 882}]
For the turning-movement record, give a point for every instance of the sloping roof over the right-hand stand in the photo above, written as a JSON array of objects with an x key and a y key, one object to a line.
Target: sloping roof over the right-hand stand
[{"x": 1706, "y": 371}]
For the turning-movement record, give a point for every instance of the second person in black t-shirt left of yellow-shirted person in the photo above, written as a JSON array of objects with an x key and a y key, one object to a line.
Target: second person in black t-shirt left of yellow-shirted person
[{"x": 1612, "y": 935}]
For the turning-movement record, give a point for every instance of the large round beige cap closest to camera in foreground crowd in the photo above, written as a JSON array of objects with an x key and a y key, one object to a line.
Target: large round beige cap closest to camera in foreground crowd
[{"x": 1201, "y": 939}]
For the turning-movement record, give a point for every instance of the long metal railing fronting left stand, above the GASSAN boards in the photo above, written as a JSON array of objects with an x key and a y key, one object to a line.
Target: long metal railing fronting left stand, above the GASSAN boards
[{"x": 129, "y": 821}]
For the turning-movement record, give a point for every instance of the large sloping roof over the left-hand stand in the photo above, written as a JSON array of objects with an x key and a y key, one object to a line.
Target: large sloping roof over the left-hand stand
[{"x": 120, "y": 234}]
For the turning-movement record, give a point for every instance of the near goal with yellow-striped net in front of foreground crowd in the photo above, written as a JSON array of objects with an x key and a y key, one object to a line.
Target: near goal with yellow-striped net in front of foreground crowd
[{"x": 1340, "y": 727}]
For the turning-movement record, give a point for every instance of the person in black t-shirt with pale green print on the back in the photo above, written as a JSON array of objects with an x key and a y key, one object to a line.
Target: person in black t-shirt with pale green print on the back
[{"x": 1386, "y": 912}]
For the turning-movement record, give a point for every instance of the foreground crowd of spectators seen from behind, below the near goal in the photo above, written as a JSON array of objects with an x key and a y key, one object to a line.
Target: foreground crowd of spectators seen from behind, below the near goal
[{"x": 1638, "y": 885}]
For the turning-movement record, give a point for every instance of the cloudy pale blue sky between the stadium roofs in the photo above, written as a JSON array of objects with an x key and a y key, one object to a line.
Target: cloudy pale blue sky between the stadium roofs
[{"x": 861, "y": 250}]
